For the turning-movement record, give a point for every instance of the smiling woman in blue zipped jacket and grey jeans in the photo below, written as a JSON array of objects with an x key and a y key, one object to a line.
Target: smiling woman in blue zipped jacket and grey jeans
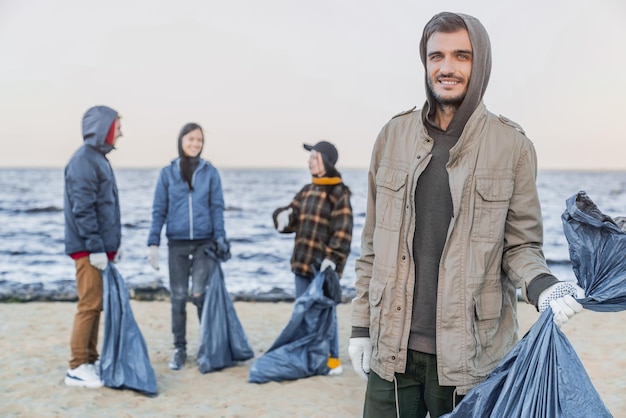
[{"x": 188, "y": 199}]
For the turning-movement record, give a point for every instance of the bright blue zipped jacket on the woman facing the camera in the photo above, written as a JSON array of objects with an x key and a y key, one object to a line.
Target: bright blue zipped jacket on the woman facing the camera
[{"x": 191, "y": 214}]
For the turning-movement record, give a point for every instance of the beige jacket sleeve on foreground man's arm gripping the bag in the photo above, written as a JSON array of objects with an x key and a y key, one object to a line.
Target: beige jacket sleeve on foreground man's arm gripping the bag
[{"x": 523, "y": 259}]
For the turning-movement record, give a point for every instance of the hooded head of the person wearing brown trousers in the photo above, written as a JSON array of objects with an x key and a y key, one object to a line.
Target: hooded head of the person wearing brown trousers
[{"x": 99, "y": 128}]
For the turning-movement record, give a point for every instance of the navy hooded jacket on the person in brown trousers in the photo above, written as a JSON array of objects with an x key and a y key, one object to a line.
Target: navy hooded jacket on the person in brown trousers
[{"x": 91, "y": 203}]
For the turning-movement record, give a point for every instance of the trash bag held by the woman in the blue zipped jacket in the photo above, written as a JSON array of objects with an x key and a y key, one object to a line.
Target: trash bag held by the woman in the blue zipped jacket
[{"x": 223, "y": 341}]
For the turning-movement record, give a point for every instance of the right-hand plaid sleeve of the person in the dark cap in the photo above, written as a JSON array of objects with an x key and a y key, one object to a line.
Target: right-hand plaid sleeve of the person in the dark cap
[{"x": 341, "y": 222}]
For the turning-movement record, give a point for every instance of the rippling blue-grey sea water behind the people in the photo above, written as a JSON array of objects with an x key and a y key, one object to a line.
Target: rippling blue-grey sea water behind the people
[{"x": 31, "y": 225}]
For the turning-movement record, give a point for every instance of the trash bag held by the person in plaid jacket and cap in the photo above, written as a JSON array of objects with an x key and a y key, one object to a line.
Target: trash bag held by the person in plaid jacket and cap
[{"x": 302, "y": 348}]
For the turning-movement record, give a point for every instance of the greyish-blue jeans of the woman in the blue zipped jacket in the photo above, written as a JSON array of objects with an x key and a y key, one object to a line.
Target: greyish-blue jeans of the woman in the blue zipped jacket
[{"x": 187, "y": 261}]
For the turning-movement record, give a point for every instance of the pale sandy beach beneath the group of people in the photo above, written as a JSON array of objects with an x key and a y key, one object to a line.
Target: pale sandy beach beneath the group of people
[{"x": 35, "y": 351}]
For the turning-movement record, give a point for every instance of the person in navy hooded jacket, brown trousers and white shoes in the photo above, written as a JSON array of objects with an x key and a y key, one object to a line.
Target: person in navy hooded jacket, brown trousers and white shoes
[{"x": 93, "y": 234}]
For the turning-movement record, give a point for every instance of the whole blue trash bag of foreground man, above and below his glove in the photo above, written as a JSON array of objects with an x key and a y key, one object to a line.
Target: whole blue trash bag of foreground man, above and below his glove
[{"x": 542, "y": 376}]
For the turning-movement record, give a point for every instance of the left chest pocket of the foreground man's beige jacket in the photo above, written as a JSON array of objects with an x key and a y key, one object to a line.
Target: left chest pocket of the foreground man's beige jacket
[{"x": 390, "y": 193}]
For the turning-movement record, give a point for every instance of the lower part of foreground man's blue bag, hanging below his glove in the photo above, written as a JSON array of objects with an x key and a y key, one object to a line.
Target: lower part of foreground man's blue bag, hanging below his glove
[{"x": 540, "y": 377}]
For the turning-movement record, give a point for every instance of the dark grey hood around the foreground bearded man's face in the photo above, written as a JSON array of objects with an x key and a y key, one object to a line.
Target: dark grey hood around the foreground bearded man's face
[{"x": 447, "y": 22}]
